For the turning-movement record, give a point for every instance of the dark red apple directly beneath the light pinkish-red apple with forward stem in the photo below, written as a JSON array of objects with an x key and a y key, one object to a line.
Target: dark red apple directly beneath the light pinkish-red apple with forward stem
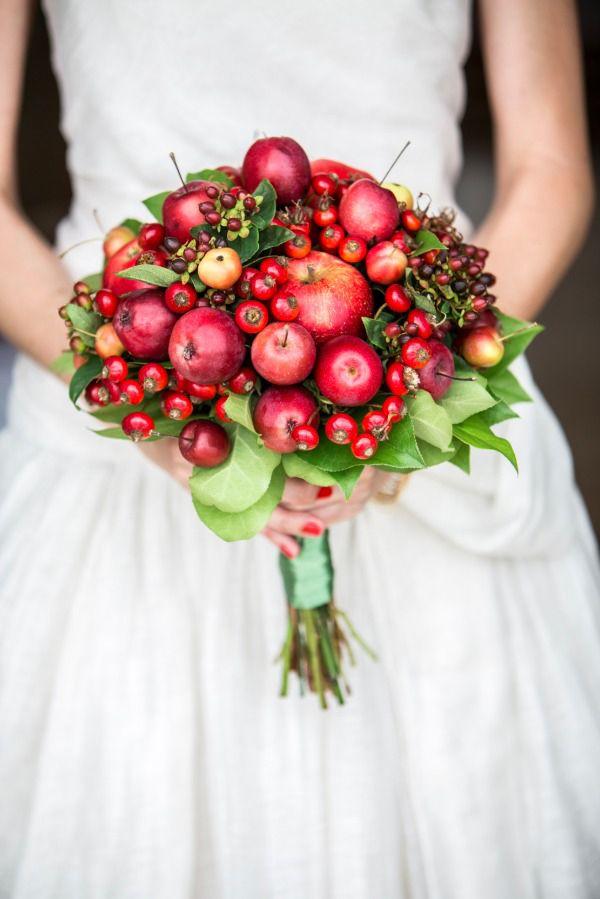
[{"x": 277, "y": 413}]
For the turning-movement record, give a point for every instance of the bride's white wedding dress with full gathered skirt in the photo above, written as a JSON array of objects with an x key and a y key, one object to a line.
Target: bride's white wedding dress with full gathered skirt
[{"x": 144, "y": 753}]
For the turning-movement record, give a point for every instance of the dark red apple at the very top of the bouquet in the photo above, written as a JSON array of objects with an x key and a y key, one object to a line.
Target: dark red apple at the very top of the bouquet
[{"x": 283, "y": 162}]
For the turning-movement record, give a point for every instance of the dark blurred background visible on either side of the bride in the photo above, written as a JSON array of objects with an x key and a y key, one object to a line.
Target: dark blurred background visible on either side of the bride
[{"x": 572, "y": 317}]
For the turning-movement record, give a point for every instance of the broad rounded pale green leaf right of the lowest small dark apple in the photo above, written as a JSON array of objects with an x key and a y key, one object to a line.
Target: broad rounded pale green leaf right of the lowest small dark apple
[{"x": 241, "y": 480}]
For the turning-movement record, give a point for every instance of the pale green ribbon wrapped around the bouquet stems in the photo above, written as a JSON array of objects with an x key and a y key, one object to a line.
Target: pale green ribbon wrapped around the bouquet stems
[{"x": 308, "y": 579}]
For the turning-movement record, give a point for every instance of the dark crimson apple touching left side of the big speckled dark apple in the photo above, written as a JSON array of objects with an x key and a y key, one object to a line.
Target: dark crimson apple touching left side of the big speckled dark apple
[{"x": 143, "y": 324}]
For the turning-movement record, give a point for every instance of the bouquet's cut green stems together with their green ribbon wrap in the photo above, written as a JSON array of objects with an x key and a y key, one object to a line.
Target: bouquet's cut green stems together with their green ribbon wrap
[{"x": 317, "y": 640}]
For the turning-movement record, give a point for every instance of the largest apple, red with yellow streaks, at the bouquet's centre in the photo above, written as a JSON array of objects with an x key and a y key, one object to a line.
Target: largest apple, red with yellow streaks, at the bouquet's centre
[{"x": 332, "y": 295}]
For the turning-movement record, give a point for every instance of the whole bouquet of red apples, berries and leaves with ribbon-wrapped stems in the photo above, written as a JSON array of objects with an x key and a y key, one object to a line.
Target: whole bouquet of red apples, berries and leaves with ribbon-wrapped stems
[{"x": 294, "y": 319}]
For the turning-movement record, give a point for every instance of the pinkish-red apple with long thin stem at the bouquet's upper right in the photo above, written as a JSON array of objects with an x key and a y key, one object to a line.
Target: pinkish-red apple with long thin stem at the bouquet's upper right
[{"x": 369, "y": 211}]
